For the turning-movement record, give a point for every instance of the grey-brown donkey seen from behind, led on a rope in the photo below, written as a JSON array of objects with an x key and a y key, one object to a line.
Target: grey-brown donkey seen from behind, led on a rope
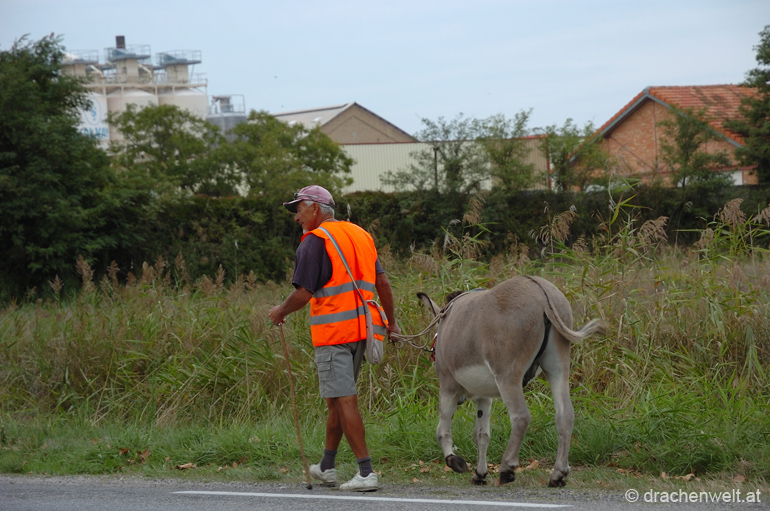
[{"x": 489, "y": 344}]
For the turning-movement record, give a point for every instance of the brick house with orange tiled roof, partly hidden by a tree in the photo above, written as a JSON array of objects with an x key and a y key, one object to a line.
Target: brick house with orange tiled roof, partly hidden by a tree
[{"x": 633, "y": 135}]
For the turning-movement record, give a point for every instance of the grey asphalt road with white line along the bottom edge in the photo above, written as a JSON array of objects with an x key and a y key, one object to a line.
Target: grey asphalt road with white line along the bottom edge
[{"x": 91, "y": 493}]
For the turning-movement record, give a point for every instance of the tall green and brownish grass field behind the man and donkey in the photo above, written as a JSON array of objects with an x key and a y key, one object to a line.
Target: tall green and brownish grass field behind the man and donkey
[{"x": 196, "y": 373}]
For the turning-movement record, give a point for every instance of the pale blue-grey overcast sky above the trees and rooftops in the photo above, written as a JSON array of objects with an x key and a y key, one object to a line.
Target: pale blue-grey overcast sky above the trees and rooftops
[{"x": 408, "y": 60}]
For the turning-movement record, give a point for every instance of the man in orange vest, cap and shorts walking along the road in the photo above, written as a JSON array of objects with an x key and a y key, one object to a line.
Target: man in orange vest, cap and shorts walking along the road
[{"x": 337, "y": 324}]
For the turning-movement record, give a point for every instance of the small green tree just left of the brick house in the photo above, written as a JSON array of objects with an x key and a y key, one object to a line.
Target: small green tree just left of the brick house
[{"x": 575, "y": 154}]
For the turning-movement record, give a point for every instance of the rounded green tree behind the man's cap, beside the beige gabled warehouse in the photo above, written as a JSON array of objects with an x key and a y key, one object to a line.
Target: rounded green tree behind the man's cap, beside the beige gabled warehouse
[{"x": 276, "y": 158}]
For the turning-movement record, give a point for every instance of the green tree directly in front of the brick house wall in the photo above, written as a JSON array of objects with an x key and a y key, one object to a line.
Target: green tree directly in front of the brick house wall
[{"x": 684, "y": 151}]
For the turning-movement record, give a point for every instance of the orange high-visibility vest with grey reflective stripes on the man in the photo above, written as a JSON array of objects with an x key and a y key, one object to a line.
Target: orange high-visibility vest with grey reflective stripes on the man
[{"x": 336, "y": 311}]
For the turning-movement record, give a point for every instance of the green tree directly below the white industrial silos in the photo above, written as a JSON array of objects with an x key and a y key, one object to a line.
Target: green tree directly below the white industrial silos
[{"x": 173, "y": 148}]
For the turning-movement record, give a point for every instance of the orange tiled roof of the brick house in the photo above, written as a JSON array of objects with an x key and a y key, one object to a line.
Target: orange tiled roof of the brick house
[{"x": 720, "y": 102}]
